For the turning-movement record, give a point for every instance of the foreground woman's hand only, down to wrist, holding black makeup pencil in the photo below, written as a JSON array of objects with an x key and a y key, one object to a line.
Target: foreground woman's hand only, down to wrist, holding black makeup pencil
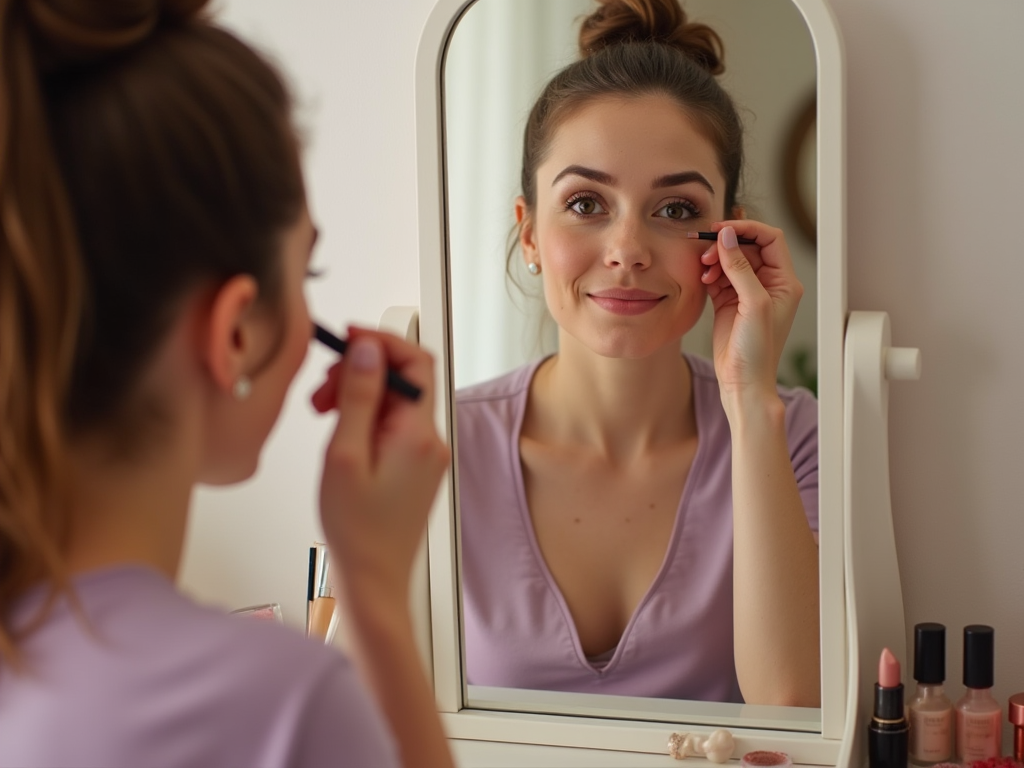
[{"x": 383, "y": 464}]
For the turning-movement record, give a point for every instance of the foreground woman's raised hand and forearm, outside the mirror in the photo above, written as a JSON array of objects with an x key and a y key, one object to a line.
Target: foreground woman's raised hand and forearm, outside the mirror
[{"x": 380, "y": 478}]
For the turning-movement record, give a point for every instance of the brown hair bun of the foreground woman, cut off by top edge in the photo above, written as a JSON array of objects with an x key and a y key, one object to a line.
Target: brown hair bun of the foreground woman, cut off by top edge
[{"x": 71, "y": 32}]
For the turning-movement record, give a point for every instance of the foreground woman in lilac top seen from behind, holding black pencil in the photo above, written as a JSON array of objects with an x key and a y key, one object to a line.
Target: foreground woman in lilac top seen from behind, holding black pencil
[{"x": 154, "y": 242}]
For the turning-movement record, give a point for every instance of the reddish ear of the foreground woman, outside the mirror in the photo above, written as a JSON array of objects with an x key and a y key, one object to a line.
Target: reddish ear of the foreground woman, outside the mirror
[{"x": 231, "y": 342}]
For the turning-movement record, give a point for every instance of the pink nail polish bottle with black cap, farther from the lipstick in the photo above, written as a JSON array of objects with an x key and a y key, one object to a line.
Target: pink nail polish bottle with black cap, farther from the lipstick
[{"x": 979, "y": 718}]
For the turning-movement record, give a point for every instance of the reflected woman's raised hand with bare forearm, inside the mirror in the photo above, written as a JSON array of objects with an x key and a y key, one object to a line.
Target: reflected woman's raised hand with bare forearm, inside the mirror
[{"x": 755, "y": 292}]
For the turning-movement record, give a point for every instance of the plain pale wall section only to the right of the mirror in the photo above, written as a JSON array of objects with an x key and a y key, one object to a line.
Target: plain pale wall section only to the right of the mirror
[{"x": 936, "y": 120}]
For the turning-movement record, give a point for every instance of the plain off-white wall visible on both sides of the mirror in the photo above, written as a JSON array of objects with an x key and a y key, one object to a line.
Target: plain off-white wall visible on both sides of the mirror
[{"x": 936, "y": 121}]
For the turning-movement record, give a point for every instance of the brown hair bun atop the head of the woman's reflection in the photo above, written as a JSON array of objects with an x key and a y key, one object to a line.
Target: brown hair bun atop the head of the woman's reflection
[{"x": 657, "y": 21}]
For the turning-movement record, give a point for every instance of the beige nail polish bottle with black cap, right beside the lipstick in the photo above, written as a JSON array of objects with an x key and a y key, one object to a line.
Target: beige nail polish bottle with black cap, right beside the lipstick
[{"x": 930, "y": 711}]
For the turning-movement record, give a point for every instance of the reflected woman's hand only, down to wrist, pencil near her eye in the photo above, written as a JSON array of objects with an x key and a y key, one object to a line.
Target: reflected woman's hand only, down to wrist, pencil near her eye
[{"x": 755, "y": 293}]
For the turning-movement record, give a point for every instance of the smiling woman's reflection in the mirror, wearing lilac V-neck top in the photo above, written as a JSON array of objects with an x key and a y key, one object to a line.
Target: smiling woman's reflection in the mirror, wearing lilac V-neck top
[{"x": 636, "y": 522}]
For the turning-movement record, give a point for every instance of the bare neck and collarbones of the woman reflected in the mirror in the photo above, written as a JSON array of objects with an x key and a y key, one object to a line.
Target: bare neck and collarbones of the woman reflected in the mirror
[{"x": 622, "y": 408}]
